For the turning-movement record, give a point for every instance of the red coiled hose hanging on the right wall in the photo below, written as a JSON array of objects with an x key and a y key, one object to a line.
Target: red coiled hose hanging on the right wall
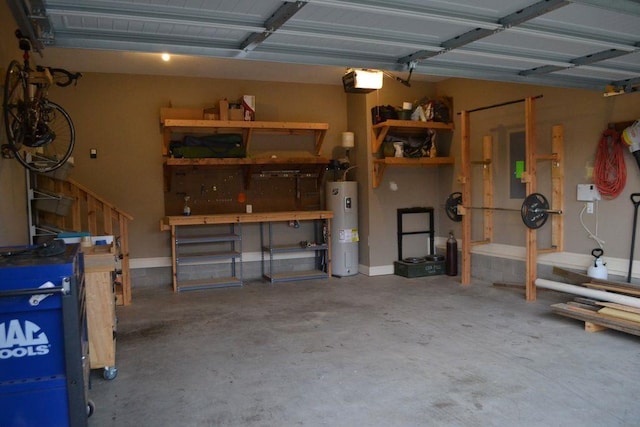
[{"x": 610, "y": 171}]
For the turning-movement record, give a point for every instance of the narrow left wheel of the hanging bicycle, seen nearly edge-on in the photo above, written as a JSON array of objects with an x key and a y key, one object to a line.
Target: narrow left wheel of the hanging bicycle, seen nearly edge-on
[{"x": 13, "y": 105}]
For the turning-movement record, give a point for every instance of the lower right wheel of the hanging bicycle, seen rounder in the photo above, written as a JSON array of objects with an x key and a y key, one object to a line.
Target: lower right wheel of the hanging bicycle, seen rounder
[{"x": 54, "y": 140}]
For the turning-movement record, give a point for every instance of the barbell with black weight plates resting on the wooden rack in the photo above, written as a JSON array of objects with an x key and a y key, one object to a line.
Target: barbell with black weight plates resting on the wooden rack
[{"x": 534, "y": 211}]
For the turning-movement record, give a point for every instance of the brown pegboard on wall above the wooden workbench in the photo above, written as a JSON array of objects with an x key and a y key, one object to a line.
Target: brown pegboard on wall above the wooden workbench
[{"x": 230, "y": 190}]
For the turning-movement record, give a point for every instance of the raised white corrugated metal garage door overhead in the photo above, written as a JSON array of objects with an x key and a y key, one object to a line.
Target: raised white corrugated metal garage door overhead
[{"x": 375, "y": 32}]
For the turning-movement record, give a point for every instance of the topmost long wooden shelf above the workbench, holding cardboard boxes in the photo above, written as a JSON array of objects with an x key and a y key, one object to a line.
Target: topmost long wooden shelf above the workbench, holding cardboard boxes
[{"x": 246, "y": 128}]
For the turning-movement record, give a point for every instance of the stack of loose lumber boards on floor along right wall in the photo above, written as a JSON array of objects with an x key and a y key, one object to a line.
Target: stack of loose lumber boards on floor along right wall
[{"x": 599, "y": 314}]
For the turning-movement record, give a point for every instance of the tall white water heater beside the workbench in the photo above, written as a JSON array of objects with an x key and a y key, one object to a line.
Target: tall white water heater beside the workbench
[{"x": 342, "y": 199}]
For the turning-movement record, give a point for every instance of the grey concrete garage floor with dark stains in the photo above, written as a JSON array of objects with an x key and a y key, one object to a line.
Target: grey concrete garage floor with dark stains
[{"x": 364, "y": 351}]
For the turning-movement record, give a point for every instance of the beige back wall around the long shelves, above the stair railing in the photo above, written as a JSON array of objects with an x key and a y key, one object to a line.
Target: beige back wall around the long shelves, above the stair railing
[{"x": 119, "y": 115}]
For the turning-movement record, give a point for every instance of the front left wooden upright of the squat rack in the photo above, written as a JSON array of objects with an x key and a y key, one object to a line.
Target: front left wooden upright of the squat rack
[{"x": 465, "y": 179}]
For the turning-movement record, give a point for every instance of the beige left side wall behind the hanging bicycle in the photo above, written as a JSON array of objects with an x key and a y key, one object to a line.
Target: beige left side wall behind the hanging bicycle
[{"x": 13, "y": 205}]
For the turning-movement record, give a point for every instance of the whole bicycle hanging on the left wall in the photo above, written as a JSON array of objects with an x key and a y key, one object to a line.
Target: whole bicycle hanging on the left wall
[{"x": 40, "y": 132}]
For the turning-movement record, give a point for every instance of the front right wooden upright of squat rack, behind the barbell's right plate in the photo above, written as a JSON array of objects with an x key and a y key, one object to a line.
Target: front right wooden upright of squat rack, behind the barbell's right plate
[{"x": 531, "y": 168}]
